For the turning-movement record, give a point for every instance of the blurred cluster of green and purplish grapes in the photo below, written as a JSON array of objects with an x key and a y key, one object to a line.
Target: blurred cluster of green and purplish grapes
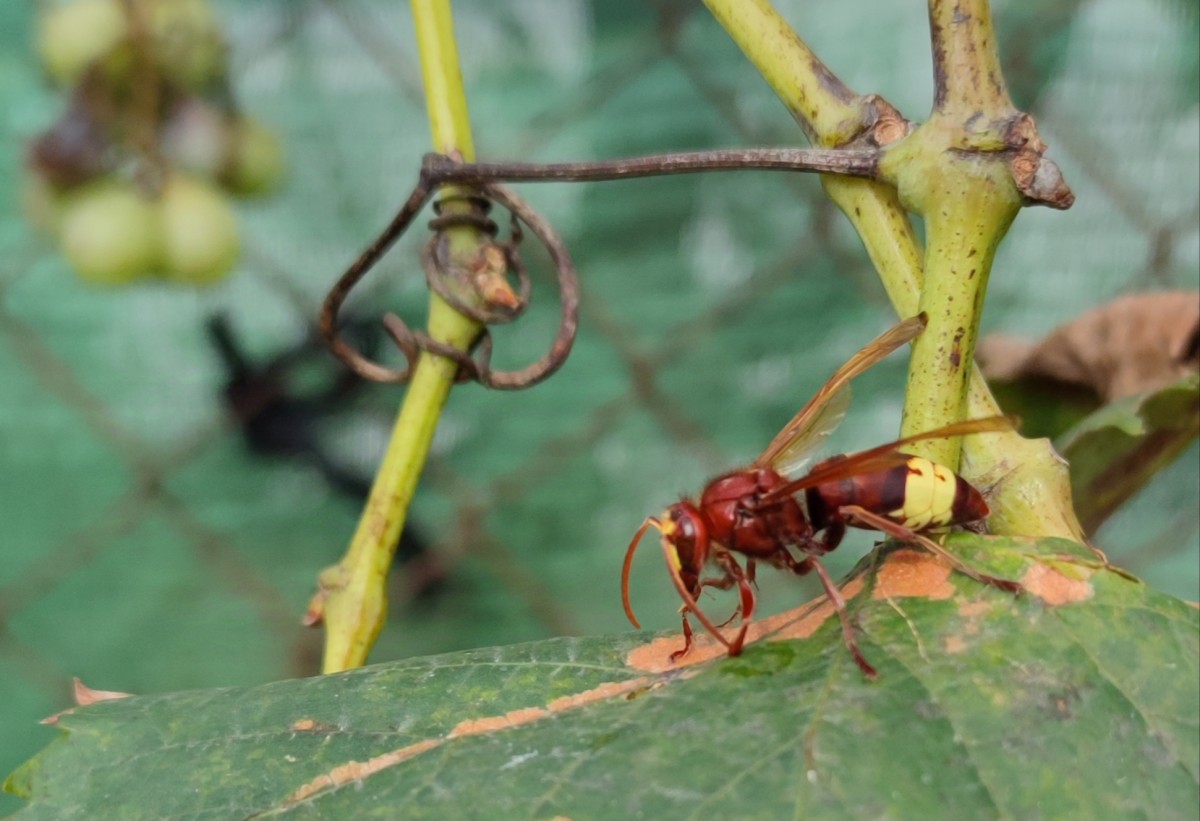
[{"x": 135, "y": 179}]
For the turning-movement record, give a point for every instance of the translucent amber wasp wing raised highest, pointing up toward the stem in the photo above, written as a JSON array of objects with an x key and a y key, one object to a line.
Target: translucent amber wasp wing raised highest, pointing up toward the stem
[{"x": 794, "y": 446}]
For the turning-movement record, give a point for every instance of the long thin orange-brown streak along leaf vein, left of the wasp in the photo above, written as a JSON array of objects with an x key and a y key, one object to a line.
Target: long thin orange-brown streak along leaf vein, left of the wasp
[{"x": 358, "y": 771}]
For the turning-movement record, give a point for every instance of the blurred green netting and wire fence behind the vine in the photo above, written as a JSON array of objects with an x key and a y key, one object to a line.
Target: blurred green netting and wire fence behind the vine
[{"x": 146, "y": 549}]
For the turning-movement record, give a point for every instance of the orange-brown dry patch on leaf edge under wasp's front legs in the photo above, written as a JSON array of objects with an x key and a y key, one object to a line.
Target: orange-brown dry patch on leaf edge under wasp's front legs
[{"x": 800, "y": 624}]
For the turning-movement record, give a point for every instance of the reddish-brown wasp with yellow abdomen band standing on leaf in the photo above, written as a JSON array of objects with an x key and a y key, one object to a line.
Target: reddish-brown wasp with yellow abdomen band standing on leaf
[{"x": 769, "y": 516}]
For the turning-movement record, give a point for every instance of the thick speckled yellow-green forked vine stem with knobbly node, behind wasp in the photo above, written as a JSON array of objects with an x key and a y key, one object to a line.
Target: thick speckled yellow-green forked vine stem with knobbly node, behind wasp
[{"x": 1028, "y": 481}]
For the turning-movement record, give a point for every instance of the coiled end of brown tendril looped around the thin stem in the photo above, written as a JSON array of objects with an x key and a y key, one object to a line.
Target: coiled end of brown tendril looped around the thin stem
[{"x": 460, "y": 292}]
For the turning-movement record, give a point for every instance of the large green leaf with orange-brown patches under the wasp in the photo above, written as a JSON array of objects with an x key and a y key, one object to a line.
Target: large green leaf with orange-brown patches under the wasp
[{"x": 1075, "y": 700}]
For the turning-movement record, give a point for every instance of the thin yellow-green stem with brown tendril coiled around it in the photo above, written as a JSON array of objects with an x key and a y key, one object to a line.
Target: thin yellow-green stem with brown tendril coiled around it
[{"x": 352, "y": 596}]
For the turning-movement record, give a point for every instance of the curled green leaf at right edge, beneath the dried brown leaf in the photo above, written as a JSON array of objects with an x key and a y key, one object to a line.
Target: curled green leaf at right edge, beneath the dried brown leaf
[{"x": 1118, "y": 450}]
